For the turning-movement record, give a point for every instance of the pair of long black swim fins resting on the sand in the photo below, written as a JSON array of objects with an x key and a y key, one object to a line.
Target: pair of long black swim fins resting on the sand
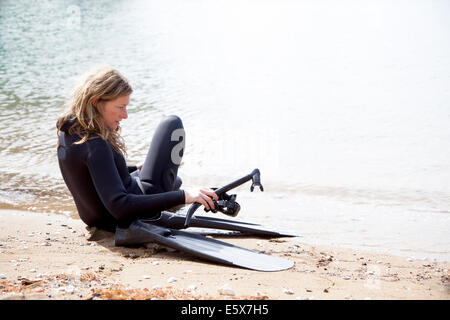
[{"x": 165, "y": 230}]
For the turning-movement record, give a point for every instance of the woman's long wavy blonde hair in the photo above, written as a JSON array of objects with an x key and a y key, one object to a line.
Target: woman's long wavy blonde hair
[{"x": 102, "y": 84}]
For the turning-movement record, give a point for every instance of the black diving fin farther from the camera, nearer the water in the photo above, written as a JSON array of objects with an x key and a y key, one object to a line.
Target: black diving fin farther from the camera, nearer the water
[{"x": 175, "y": 221}]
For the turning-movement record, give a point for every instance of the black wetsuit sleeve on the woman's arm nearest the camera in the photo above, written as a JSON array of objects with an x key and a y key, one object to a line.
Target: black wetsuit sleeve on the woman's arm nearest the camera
[{"x": 109, "y": 186}]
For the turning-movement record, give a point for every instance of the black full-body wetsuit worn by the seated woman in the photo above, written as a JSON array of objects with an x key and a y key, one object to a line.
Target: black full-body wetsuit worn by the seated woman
[{"x": 106, "y": 191}]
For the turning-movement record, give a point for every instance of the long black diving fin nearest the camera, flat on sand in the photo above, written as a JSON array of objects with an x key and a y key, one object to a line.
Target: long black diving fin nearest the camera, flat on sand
[{"x": 142, "y": 232}]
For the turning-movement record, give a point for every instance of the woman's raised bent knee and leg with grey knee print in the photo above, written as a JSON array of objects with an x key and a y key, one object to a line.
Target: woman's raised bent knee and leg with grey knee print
[{"x": 160, "y": 168}]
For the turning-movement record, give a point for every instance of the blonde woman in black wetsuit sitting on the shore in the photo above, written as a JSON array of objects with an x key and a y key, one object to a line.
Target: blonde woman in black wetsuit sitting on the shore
[{"x": 91, "y": 152}]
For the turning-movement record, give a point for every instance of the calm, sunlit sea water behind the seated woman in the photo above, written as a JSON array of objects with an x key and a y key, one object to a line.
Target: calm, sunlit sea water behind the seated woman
[{"x": 344, "y": 106}]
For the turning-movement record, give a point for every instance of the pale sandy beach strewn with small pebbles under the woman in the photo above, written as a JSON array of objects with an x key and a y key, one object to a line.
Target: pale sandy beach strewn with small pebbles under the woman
[{"x": 45, "y": 256}]
